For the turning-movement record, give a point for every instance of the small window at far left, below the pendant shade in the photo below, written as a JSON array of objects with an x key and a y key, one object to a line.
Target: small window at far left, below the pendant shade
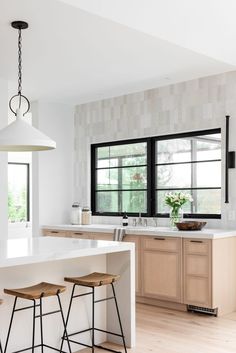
[{"x": 18, "y": 192}]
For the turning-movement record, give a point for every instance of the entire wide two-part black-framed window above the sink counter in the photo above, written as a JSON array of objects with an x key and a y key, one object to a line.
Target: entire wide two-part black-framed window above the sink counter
[{"x": 135, "y": 175}]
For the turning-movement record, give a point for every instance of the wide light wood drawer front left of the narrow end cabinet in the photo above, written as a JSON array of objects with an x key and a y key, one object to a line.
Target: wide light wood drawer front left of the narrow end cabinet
[{"x": 162, "y": 243}]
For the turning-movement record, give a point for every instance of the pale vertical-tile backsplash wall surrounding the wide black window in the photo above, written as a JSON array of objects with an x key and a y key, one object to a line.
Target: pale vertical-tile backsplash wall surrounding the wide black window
[{"x": 193, "y": 105}]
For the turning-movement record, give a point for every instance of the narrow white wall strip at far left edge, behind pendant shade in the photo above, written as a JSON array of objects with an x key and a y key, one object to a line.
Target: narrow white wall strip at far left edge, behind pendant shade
[{"x": 3, "y": 162}]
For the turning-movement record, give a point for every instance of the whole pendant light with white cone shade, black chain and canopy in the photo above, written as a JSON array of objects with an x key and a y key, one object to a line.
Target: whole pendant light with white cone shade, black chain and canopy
[{"x": 20, "y": 136}]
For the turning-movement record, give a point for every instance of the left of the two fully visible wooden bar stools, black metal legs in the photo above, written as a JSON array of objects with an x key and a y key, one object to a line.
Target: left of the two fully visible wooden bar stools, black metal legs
[{"x": 34, "y": 293}]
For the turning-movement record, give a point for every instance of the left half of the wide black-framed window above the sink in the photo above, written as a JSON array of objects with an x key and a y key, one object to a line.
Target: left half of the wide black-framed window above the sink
[{"x": 120, "y": 177}]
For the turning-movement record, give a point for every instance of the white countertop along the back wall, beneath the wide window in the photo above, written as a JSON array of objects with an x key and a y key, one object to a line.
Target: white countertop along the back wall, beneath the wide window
[{"x": 152, "y": 231}]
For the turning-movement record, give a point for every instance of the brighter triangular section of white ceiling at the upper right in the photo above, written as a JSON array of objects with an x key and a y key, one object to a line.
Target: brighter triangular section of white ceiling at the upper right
[{"x": 204, "y": 26}]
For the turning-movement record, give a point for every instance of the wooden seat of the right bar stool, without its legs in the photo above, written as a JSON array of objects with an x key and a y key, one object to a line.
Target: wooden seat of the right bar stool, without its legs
[{"x": 95, "y": 279}]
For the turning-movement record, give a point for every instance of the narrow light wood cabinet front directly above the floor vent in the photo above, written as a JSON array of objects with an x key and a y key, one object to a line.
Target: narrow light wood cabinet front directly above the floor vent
[{"x": 197, "y": 272}]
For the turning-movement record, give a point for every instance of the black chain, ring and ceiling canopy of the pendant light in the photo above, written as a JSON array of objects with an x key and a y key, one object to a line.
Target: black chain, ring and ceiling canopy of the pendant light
[{"x": 19, "y": 25}]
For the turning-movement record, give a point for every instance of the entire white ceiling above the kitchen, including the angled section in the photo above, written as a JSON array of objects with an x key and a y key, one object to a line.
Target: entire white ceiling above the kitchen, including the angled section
[{"x": 82, "y": 50}]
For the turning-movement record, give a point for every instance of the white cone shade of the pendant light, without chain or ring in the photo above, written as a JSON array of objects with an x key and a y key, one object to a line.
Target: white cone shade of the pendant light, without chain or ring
[{"x": 20, "y": 136}]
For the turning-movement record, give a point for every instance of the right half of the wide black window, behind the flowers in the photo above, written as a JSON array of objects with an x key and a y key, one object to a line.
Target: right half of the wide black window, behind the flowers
[{"x": 190, "y": 164}]
